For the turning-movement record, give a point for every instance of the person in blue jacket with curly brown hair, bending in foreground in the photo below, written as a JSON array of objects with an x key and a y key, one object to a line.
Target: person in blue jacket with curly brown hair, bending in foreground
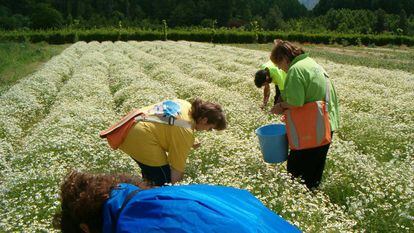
[{"x": 118, "y": 203}]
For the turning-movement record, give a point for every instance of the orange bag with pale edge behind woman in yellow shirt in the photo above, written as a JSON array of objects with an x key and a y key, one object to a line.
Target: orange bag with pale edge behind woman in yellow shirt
[{"x": 117, "y": 132}]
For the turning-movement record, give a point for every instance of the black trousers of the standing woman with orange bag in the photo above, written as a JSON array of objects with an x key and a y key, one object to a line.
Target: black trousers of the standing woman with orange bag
[{"x": 308, "y": 164}]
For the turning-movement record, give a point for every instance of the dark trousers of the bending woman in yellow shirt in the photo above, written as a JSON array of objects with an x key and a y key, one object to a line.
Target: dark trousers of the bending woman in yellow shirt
[{"x": 157, "y": 176}]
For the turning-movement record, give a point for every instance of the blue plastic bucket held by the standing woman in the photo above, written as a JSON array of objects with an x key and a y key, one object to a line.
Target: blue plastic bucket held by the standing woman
[{"x": 273, "y": 142}]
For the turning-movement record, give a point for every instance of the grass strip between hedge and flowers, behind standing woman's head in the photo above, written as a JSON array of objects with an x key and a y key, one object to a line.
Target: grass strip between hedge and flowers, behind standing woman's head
[{"x": 394, "y": 58}]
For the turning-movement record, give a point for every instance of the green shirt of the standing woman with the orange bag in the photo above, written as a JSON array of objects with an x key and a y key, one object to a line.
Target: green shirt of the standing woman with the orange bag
[{"x": 305, "y": 83}]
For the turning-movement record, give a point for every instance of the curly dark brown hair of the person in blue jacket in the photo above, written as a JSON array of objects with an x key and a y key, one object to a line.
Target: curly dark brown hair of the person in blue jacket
[{"x": 82, "y": 197}]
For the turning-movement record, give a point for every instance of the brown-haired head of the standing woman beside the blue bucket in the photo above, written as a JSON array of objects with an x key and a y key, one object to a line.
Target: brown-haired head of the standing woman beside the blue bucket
[{"x": 283, "y": 53}]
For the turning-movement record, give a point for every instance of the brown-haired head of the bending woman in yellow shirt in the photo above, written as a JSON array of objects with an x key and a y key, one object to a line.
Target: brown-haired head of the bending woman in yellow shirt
[{"x": 207, "y": 115}]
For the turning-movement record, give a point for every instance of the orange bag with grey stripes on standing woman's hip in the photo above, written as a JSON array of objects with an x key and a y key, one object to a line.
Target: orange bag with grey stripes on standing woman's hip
[{"x": 308, "y": 126}]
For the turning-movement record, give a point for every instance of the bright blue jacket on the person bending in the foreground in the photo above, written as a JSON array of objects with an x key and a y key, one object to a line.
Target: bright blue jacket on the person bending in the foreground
[{"x": 190, "y": 208}]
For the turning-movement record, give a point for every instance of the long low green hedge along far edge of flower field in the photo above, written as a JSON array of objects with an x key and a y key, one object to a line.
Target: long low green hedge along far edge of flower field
[{"x": 217, "y": 36}]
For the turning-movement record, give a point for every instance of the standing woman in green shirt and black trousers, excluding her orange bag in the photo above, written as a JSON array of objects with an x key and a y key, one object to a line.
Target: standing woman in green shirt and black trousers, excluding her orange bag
[{"x": 305, "y": 82}]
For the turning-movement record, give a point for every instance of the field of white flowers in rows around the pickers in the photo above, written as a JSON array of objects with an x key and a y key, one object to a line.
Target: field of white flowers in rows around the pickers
[{"x": 49, "y": 123}]
